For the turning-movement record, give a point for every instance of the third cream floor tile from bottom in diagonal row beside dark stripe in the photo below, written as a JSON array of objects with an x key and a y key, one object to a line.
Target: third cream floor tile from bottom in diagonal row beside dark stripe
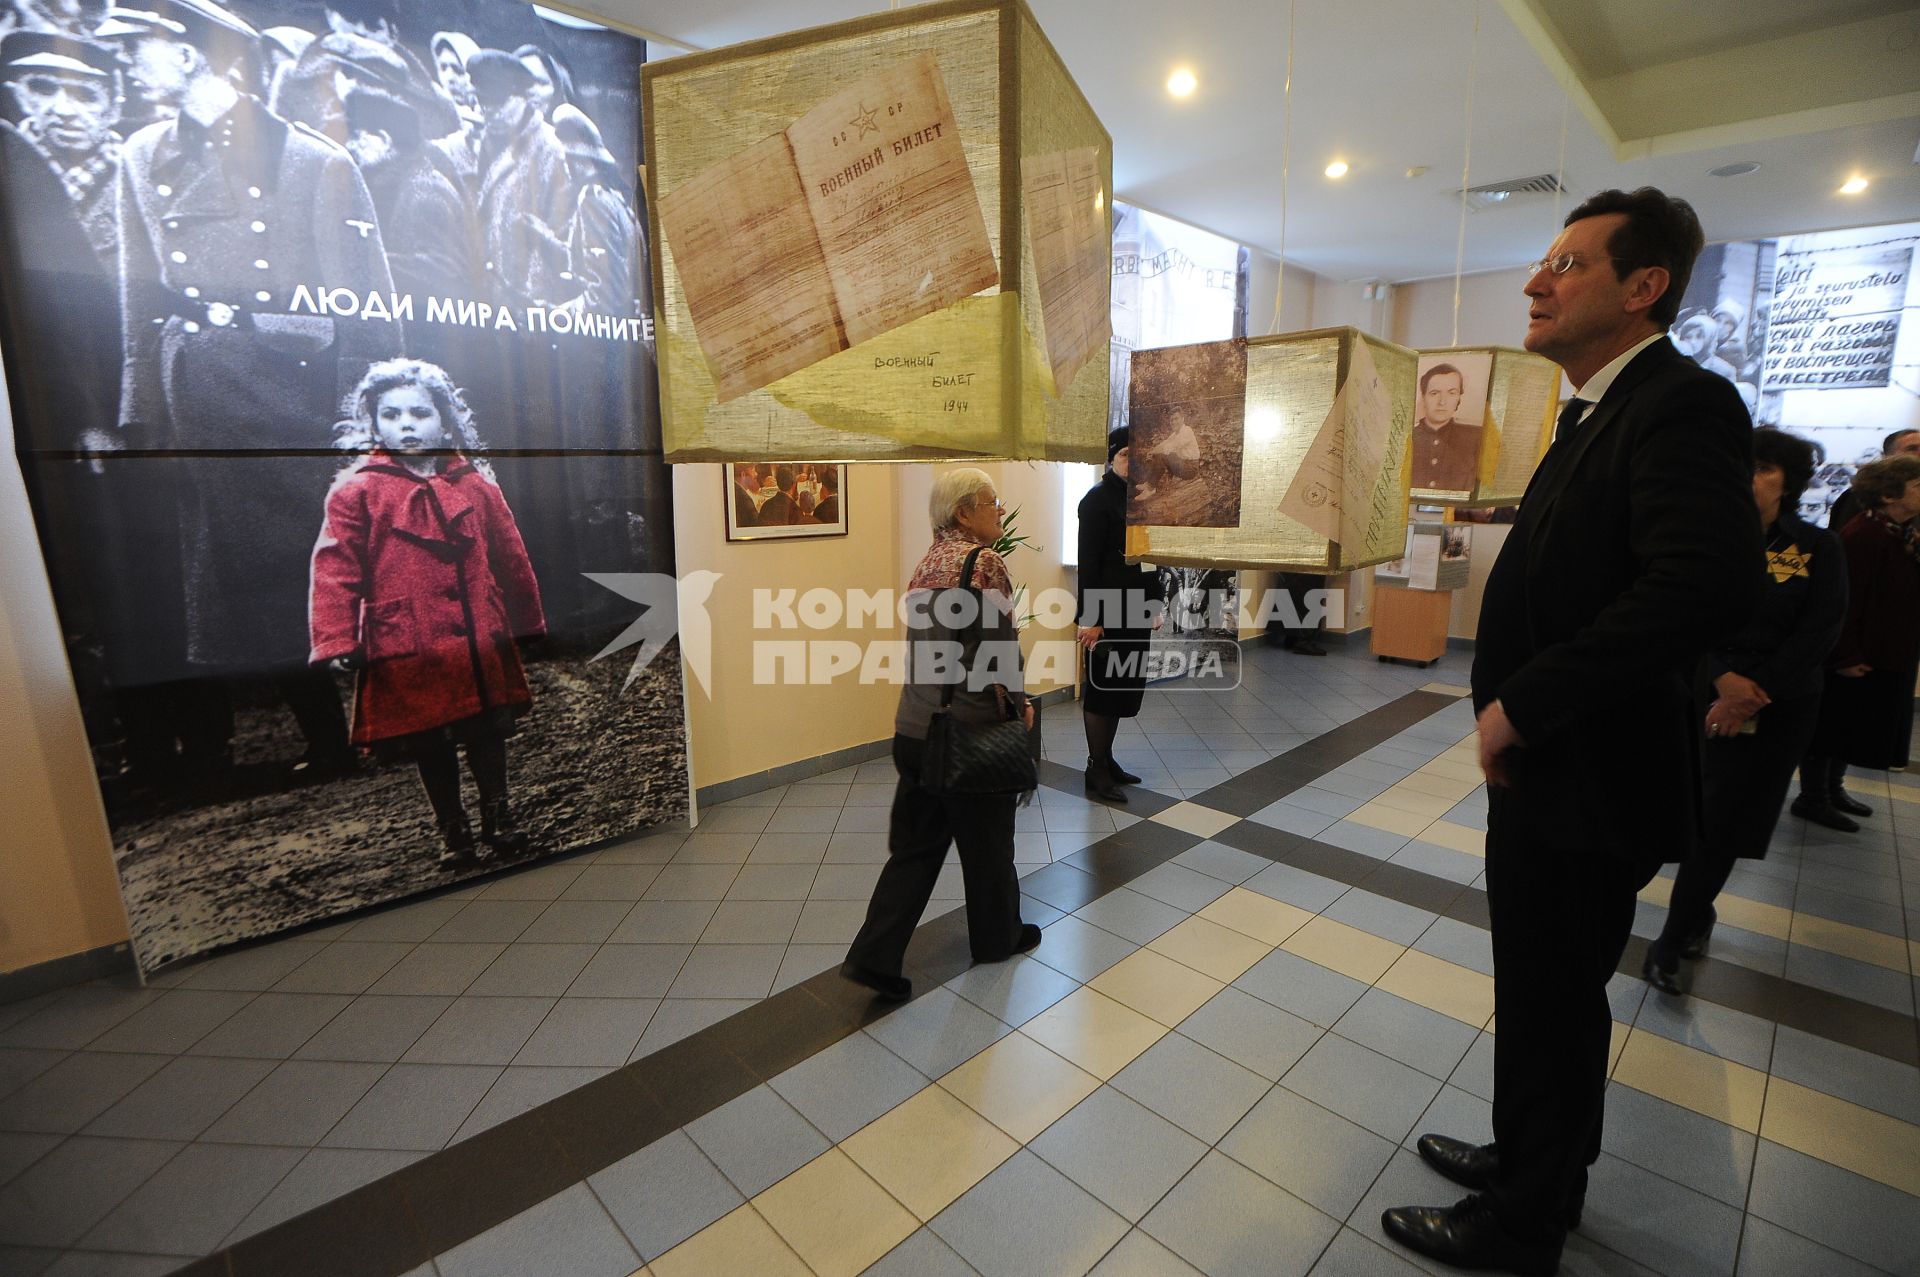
[{"x": 928, "y": 1151}]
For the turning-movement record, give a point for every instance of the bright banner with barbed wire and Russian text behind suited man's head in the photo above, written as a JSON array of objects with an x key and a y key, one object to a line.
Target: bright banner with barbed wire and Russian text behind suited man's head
[{"x": 1819, "y": 335}]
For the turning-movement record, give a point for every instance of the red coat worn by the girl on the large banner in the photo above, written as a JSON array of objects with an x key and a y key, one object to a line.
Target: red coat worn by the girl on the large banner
[{"x": 429, "y": 581}]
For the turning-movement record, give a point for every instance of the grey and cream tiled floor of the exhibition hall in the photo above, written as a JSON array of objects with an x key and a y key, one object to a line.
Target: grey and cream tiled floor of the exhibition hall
[{"x": 1243, "y": 1013}]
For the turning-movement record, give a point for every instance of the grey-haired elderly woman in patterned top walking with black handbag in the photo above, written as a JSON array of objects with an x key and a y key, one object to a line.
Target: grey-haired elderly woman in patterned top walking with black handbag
[{"x": 967, "y": 518}]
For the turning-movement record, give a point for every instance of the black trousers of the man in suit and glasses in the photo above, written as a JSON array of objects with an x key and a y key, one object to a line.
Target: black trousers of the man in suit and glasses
[{"x": 1560, "y": 925}]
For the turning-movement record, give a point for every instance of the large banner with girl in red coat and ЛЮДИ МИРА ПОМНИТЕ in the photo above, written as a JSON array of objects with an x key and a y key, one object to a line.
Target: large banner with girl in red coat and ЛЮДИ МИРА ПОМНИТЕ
[{"x": 331, "y": 366}]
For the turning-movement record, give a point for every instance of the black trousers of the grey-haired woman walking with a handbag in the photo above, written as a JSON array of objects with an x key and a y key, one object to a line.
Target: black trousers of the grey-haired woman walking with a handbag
[{"x": 919, "y": 832}]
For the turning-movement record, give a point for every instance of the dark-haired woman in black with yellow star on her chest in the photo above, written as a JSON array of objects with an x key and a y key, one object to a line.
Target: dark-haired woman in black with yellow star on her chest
[{"x": 1765, "y": 700}]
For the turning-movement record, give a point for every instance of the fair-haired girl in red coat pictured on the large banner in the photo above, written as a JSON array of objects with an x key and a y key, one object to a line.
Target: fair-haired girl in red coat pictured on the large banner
[{"x": 421, "y": 585}]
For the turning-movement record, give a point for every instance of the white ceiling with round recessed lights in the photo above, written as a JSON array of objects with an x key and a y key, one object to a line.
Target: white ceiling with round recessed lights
[{"x": 1385, "y": 85}]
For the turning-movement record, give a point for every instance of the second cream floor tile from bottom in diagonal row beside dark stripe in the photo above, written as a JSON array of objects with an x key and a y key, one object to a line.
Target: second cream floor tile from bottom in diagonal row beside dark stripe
[{"x": 836, "y": 1217}]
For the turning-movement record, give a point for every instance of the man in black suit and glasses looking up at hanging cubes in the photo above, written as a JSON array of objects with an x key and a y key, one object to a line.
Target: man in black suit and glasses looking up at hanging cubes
[{"x": 1635, "y": 552}]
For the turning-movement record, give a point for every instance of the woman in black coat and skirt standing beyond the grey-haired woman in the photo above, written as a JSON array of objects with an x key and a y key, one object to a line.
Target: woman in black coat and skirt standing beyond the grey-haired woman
[{"x": 1116, "y": 621}]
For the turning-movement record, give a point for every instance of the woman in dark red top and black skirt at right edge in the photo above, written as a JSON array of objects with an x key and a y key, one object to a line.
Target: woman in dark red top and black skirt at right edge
[{"x": 1867, "y": 717}]
